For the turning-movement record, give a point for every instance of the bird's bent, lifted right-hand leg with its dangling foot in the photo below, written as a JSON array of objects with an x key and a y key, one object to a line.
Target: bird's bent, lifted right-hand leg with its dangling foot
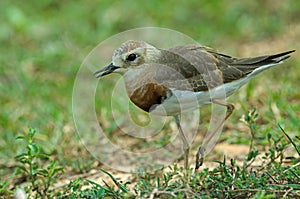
[{"x": 201, "y": 150}]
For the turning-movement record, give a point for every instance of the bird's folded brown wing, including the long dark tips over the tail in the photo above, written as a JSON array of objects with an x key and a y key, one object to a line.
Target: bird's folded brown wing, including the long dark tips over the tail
[{"x": 205, "y": 68}]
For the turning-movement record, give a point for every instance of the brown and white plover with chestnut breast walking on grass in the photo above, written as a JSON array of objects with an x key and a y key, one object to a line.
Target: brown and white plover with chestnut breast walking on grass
[{"x": 183, "y": 78}]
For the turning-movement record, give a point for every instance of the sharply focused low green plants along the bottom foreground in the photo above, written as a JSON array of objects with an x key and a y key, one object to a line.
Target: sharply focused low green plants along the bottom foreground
[{"x": 272, "y": 178}]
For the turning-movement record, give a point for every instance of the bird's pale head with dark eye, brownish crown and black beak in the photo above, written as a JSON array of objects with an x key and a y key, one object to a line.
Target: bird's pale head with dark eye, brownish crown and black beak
[{"x": 130, "y": 54}]
